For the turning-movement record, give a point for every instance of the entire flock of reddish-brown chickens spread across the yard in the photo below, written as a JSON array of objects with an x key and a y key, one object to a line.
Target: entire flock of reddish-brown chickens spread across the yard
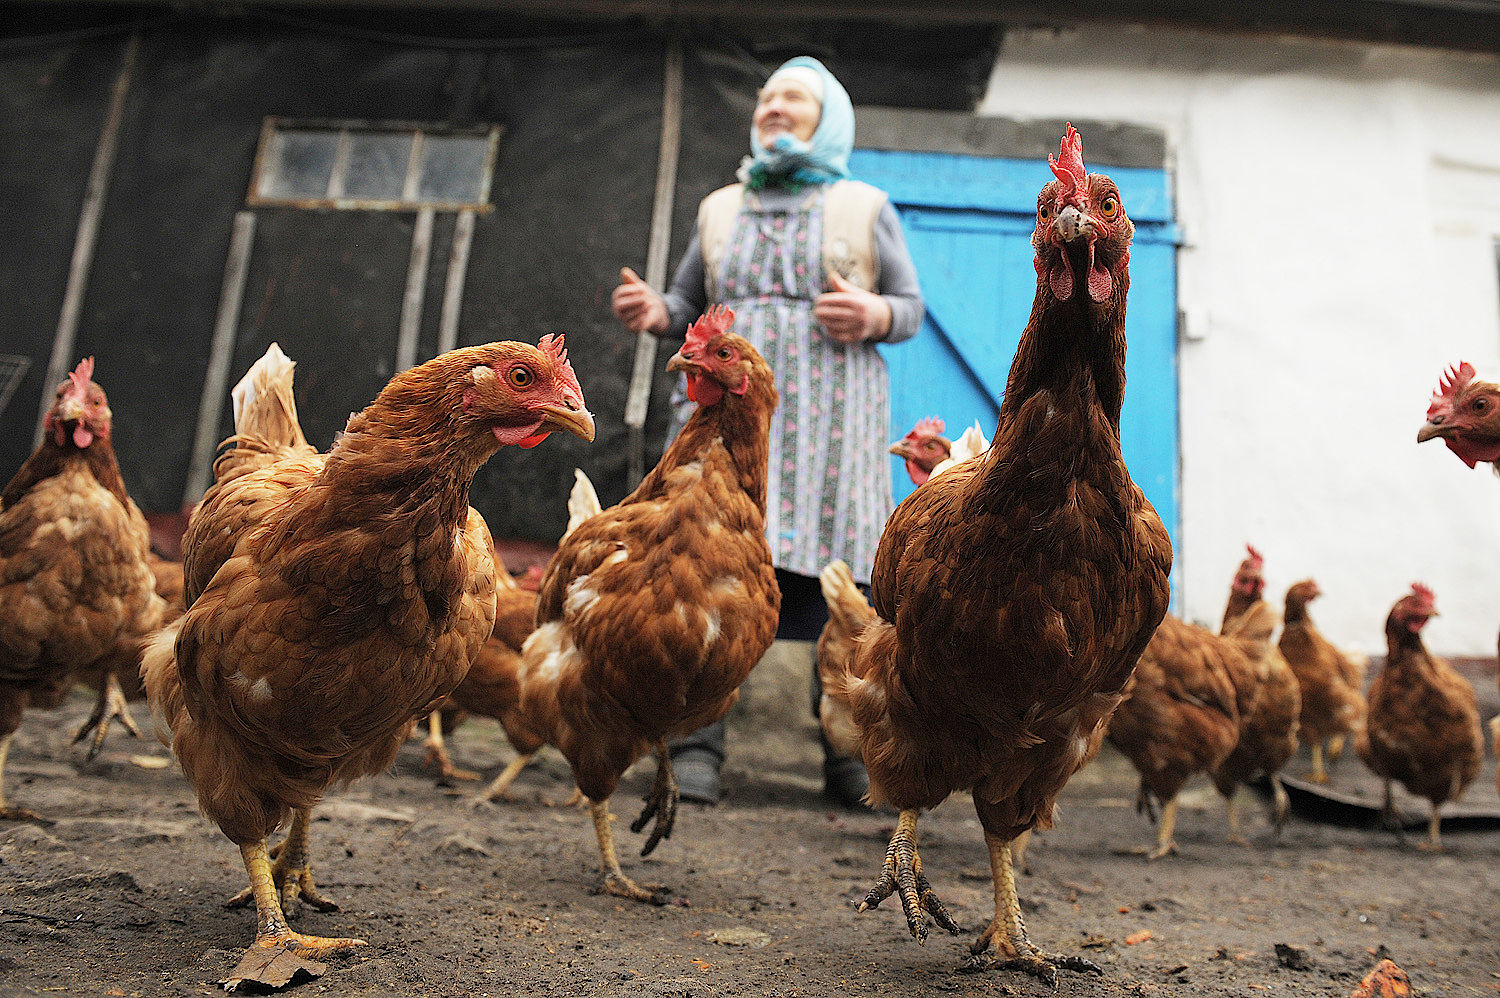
[{"x": 1018, "y": 615}]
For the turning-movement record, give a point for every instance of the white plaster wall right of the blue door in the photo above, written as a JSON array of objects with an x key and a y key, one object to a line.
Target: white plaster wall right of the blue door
[{"x": 1340, "y": 206}]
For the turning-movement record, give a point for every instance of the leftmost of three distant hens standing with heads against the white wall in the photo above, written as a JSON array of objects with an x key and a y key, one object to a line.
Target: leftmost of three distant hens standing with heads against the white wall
[{"x": 1268, "y": 696}]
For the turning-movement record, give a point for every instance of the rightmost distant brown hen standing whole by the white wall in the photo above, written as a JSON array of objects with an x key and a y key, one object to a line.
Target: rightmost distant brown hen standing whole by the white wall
[{"x": 1424, "y": 723}]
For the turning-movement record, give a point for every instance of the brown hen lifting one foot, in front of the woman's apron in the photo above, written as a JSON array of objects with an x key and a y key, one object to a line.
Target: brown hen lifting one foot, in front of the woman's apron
[{"x": 653, "y": 613}]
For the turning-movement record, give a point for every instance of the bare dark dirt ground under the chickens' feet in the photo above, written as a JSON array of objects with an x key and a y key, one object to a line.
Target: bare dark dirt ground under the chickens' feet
[{"x": 122, "y": 894}]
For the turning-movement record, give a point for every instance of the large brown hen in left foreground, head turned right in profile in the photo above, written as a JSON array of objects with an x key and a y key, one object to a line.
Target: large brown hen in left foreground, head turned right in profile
[{"x": 332, "y": 601}]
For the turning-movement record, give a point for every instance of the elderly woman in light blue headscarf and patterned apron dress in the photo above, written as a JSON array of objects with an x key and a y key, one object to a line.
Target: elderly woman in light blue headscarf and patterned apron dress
[{"x": 817, "y": 271}]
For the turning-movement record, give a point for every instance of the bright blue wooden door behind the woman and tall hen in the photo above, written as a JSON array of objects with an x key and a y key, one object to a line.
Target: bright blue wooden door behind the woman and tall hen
[{"x": 968, "y": 221}]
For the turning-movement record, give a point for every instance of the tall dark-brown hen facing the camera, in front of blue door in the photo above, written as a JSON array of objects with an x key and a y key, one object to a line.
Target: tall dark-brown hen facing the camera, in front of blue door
[{"x": 1016, "y": 591}]
